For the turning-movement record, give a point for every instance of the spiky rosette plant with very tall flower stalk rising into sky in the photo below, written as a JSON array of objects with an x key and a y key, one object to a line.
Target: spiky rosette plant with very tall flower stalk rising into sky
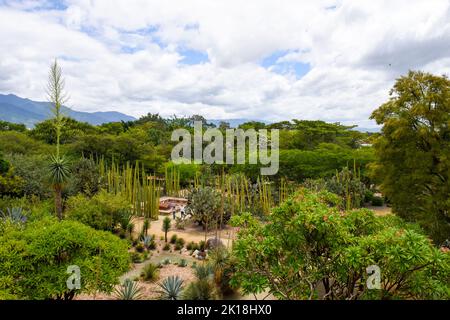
[{"x": 59, "y": 168}]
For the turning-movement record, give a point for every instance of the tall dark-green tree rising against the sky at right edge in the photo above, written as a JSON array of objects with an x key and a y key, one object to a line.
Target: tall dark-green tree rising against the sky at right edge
[{"x": 413, "y": 163}]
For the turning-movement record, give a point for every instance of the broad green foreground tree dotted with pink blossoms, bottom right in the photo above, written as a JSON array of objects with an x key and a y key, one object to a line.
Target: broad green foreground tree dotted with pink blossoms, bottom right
[{"x": 310, "y": 249}]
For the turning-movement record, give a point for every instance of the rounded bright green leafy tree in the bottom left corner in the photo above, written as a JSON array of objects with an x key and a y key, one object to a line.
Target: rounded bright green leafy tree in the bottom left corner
[{"x": 34, "y": 260}]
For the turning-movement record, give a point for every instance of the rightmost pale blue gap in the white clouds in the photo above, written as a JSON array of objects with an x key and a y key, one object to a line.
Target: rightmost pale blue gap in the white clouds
[{"x": 299, "y": 69}]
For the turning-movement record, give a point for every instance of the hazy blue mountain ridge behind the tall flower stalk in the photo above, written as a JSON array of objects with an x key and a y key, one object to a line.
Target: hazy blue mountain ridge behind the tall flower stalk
[{"x": 20, "y": 110}]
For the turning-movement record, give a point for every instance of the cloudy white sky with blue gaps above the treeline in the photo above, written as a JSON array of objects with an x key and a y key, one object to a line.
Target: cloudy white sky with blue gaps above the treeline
[{"x": 333, "y": 60}]
